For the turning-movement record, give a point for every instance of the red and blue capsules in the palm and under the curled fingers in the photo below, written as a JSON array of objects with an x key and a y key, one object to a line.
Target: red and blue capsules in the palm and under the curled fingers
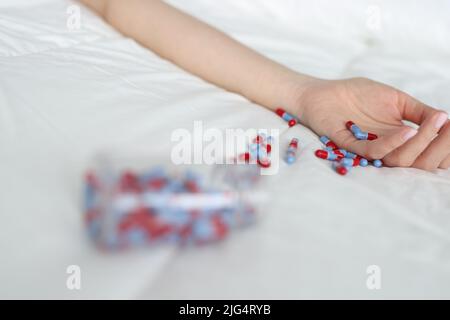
[{"x": 344, "y": 160}]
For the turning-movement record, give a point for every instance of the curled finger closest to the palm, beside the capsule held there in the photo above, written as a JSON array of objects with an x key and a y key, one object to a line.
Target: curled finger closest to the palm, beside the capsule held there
[{"x": 376, "y": 149}]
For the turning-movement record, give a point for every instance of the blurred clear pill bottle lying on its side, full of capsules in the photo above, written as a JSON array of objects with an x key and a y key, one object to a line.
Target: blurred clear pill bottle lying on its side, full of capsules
[{"x": 133, "y": 198}]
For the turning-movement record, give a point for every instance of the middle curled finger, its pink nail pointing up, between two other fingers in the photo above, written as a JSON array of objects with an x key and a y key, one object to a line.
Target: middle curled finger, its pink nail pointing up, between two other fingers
[{"x": 405, "y": 155}]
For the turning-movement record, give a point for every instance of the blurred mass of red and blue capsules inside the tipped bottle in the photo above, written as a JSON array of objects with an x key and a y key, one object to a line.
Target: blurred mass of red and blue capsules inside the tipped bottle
[{"x": 154, "y": 207}]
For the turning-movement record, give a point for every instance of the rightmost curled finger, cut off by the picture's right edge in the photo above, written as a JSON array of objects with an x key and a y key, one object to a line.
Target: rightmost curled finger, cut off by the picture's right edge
[{"x": 436, "y": 152}]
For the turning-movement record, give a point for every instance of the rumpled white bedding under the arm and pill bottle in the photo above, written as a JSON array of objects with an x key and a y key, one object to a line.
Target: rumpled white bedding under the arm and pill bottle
[{"x": 64, "y": 94}]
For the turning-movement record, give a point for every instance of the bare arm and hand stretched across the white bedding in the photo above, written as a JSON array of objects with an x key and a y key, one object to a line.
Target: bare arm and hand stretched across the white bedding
[{"x": 322, "y": 105}]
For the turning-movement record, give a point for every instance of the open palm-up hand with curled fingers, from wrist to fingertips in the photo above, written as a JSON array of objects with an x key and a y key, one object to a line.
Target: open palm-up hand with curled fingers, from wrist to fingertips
[{"x": 325, "y": 106}]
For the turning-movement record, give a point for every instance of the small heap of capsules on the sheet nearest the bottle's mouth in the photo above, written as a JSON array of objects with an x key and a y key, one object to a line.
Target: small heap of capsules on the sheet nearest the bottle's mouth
[{"x": 259, "y": 151}]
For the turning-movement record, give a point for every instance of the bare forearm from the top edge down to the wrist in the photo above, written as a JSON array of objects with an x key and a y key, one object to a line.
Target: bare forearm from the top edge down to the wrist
[{"x": 203, "y": 50}]
